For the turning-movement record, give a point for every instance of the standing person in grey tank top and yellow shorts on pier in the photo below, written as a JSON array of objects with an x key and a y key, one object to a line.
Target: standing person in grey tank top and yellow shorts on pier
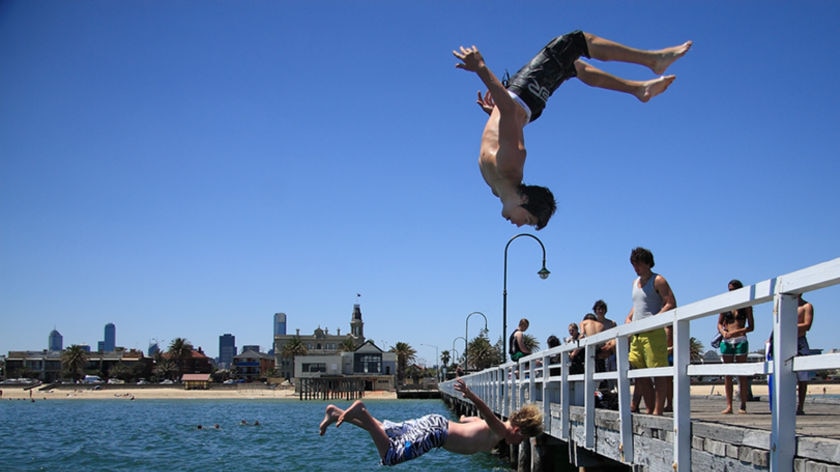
[{"x": 651, "y": 295}]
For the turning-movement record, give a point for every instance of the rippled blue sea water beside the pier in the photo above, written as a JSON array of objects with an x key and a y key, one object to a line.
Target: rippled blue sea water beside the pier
[{"x": 161, "y": 435}]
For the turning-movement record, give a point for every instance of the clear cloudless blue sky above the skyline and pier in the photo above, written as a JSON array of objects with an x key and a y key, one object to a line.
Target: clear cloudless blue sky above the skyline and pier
[{"x": 187, "y": 169}]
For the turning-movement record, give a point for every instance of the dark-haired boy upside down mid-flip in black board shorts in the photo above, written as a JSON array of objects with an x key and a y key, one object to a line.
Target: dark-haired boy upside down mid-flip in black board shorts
[{"x": 522, "y": 99}]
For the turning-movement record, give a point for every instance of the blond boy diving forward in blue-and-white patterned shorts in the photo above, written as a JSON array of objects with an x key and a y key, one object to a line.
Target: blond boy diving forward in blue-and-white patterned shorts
[{"x": 399, "y": 442}]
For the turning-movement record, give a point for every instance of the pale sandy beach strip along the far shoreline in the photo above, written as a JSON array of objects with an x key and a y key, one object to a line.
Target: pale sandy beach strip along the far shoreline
[{"x": 119, "y": 392}]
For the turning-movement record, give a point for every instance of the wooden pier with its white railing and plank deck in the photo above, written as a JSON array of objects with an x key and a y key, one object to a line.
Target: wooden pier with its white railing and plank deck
[{"x": 695, "y": 436}]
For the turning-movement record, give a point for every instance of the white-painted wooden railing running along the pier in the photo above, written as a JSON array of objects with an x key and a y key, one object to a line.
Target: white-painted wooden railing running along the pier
[{"x": 504, "y": 387}]
